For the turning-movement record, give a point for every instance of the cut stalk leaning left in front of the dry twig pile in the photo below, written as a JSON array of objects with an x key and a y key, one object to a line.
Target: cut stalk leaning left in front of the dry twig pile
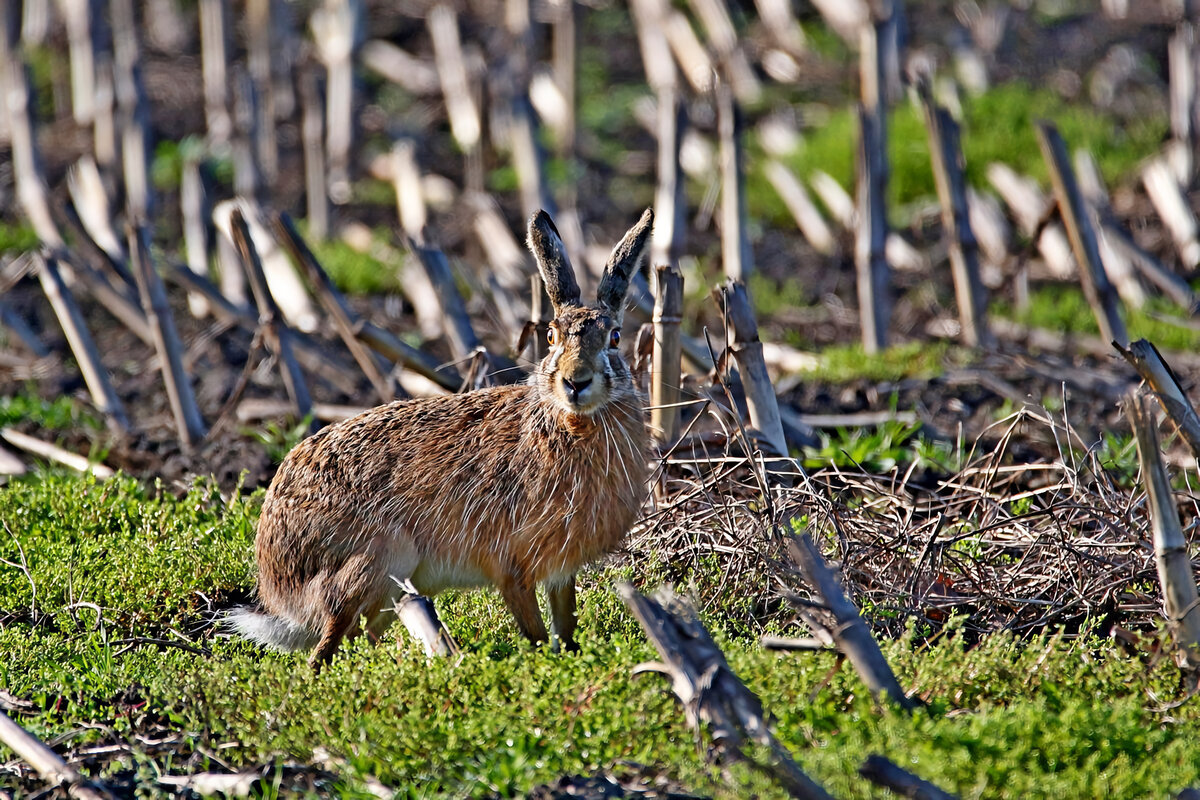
[{"x": 851, "y": 633}]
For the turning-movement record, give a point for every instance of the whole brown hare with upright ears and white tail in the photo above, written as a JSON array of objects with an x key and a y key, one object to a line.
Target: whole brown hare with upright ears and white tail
[{"x": 511, "y": 486}]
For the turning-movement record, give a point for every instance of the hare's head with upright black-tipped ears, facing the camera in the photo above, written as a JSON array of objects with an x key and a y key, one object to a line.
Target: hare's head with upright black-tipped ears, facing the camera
[{"x": 584, "y": 370}]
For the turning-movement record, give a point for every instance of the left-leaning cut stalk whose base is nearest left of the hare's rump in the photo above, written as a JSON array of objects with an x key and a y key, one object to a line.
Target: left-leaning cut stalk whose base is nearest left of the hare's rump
[{"x": 189, "y": 423}]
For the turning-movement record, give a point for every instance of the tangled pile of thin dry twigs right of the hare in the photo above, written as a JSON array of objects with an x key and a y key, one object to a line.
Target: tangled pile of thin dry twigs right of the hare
[{"x": 1001, "y": 544}]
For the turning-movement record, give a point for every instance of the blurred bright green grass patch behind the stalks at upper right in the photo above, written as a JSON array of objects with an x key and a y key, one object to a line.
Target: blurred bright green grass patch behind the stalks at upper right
[{"x": 997, "y": 127}]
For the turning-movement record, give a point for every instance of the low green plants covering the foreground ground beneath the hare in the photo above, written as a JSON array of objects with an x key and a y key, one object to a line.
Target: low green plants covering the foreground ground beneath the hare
[{"x": 93, "y": 570}]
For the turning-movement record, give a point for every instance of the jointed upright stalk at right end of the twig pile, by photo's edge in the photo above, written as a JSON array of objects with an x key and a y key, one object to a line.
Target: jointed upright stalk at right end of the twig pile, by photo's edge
[{"x": 1181, "y": 604}]
